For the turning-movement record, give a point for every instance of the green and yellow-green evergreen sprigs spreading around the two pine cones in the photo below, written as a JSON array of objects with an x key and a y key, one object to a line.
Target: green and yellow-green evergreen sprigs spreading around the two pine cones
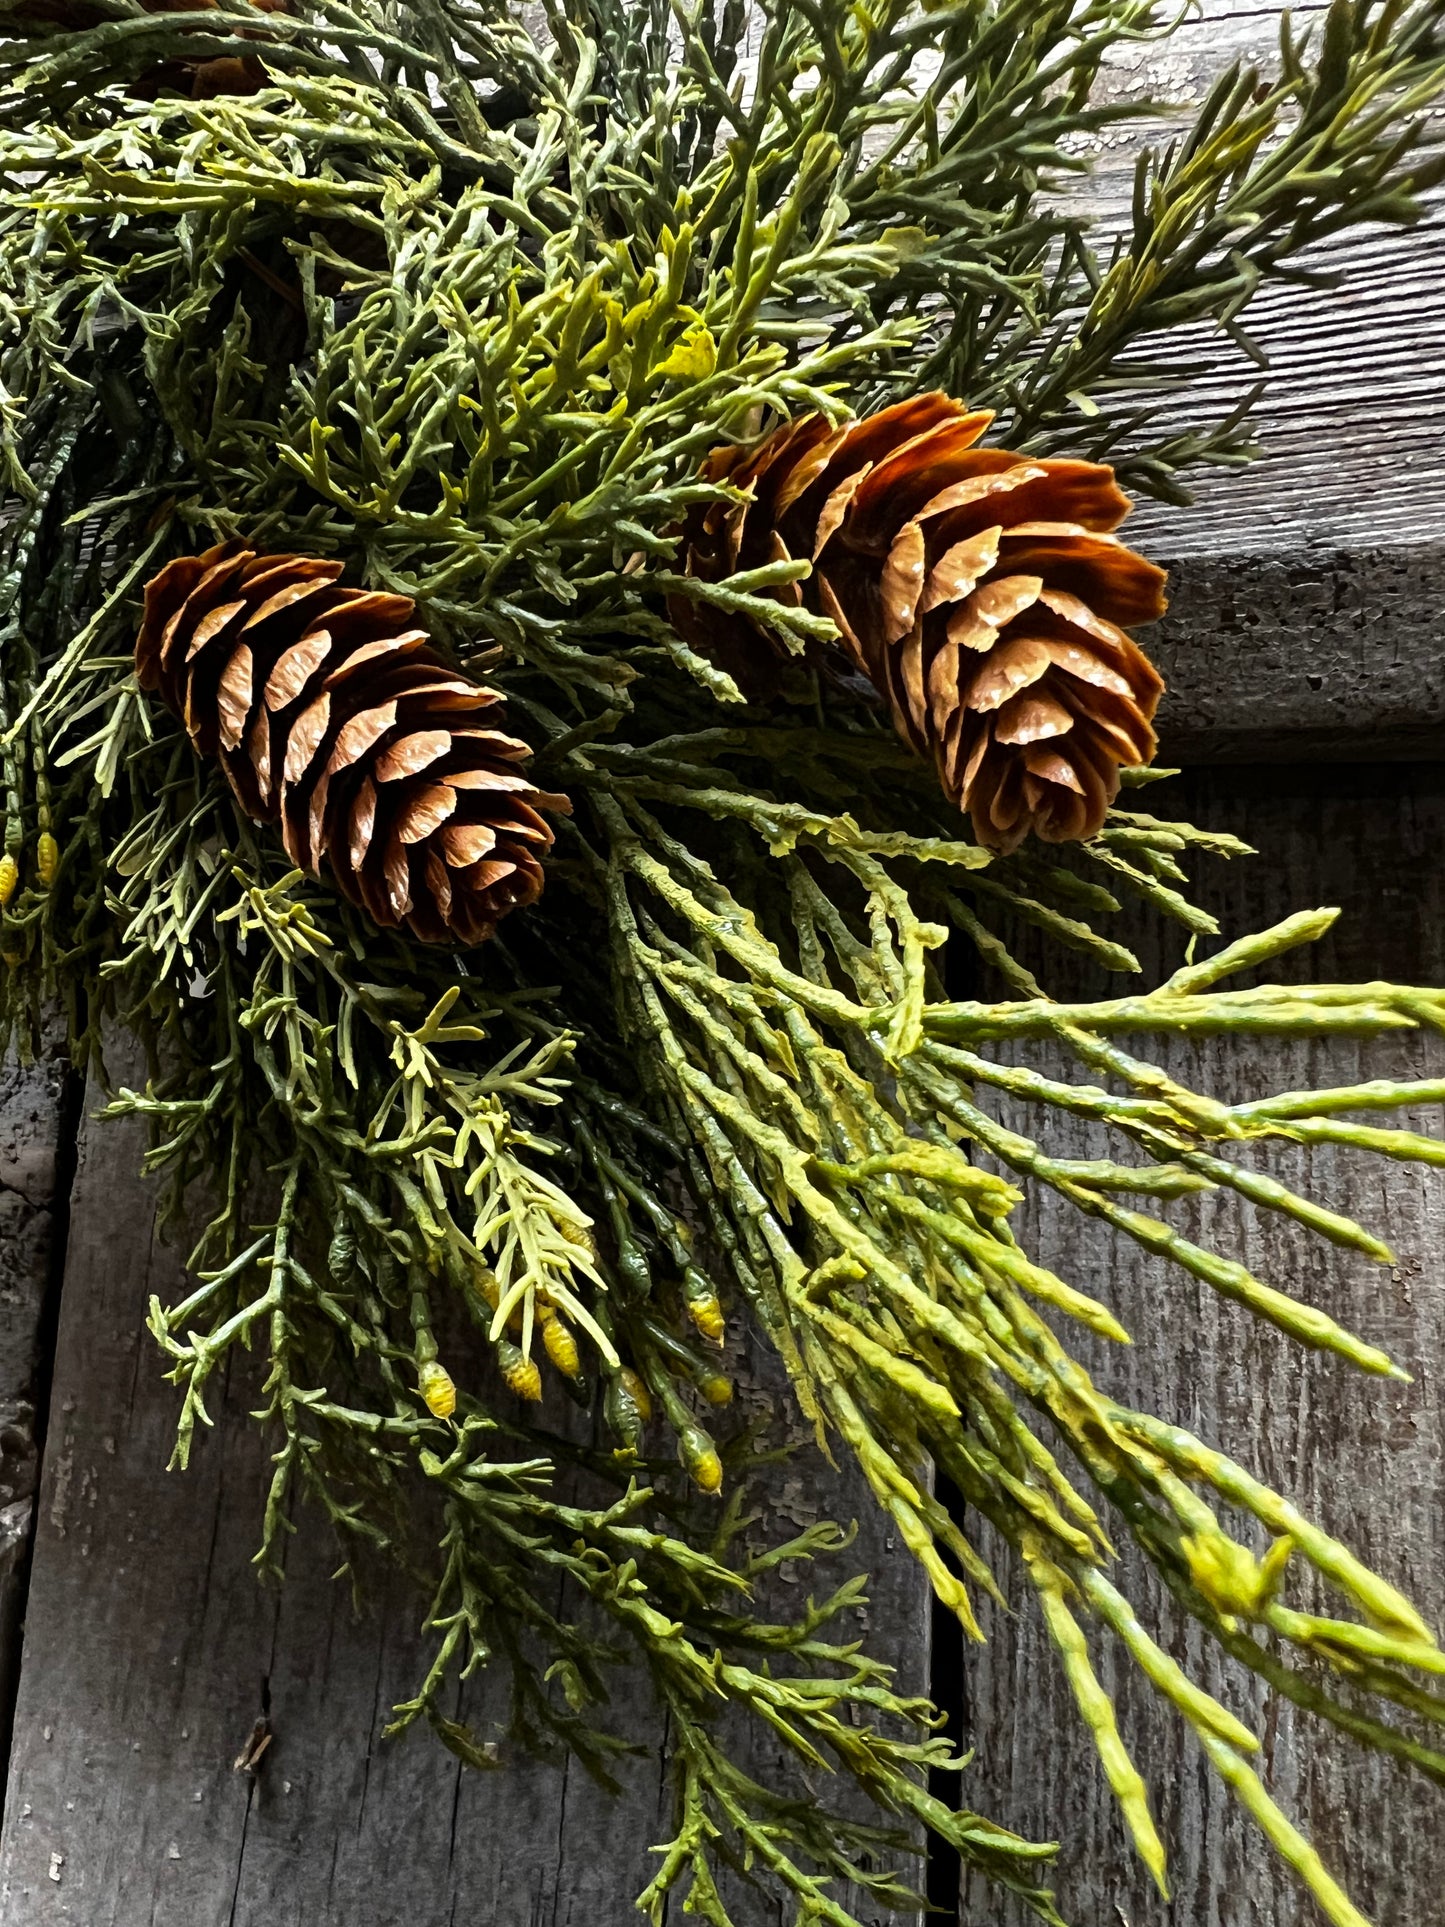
[{"x": 463, "y": 296}]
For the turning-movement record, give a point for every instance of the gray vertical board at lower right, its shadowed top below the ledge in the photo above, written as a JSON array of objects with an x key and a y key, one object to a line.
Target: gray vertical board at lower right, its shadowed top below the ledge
[{"x": 1367, "y": 1458}]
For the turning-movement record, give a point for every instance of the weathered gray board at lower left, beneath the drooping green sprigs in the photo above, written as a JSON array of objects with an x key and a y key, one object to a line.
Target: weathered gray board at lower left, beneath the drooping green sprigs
[{"x": 151, "y": 1649}]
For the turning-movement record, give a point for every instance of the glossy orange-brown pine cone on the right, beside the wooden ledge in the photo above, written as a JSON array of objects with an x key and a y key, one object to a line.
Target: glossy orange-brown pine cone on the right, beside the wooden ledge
[{"x": 980, "y": 593}]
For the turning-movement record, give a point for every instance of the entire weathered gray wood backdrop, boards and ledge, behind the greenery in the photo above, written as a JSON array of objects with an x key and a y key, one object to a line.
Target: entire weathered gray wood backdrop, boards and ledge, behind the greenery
[{"x": 138, "y": 1649}]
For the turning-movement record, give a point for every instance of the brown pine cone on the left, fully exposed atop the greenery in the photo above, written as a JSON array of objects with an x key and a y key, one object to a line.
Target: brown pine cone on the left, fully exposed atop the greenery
[{"x": 334, "y": 718}]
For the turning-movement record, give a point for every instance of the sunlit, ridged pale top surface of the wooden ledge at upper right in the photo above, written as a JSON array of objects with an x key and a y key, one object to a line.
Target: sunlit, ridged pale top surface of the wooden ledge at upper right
[{"x": 1353, "y": 415}]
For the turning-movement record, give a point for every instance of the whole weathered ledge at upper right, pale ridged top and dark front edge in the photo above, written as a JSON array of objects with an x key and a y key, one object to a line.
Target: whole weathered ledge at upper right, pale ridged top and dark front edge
[{"x": 1307, "y": 587}]
